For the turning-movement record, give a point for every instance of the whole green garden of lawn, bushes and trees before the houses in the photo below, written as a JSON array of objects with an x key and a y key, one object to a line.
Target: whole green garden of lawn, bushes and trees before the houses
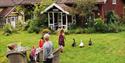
[{"x": 107, "y": 36}]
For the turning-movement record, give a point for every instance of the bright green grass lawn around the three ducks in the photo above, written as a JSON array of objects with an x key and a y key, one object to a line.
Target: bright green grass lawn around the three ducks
[{"x": 107, "y": 48}]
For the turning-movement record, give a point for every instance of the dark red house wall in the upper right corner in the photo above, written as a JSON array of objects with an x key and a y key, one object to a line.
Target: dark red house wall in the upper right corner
[{"x": 105, "y": 6}]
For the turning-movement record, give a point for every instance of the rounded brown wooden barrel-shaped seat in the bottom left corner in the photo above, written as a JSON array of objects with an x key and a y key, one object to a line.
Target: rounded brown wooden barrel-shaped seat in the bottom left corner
[{"x": 16, "y": 57}]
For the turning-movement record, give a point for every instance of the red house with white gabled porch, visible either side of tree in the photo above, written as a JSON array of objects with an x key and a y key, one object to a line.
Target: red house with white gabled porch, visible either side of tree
[{"x": 60, "y": 12}]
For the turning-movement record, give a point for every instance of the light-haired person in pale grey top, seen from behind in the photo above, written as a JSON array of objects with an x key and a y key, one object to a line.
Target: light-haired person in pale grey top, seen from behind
[{"x": 47, "y": 49}]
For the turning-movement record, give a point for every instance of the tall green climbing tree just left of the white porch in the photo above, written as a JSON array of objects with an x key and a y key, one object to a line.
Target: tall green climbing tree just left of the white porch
[{"x": 39, "y": 21}]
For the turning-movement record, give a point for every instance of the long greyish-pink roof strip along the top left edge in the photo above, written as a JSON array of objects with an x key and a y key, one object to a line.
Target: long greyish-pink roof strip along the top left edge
[{"x": 7, "y": 3}]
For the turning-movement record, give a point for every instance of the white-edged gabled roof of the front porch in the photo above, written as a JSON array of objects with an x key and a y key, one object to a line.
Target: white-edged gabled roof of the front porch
[{"x": 64, "y": 8}]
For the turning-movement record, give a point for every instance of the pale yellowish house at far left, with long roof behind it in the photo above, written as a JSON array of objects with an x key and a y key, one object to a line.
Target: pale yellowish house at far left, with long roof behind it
[{"x": 8, "y": 12}]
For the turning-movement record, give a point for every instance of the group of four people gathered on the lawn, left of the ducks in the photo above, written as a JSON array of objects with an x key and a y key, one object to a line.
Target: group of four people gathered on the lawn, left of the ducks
[{"x": 46, "y": 45}]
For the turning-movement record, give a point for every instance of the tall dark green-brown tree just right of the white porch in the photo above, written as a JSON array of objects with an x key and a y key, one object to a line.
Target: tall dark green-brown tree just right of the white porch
[{"x": 84, "y": 9}]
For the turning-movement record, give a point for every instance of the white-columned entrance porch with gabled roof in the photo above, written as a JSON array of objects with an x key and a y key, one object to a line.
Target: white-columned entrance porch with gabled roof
[{"x": 58, "y": 17}]
